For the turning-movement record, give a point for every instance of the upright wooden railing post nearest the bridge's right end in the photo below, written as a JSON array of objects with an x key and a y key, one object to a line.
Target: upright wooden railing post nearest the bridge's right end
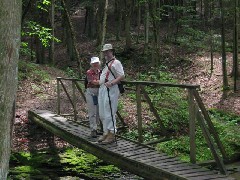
[{"x": 192, "y": 125}]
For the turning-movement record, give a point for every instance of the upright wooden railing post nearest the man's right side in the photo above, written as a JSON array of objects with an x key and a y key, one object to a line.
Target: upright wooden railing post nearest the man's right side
[{"x": 139, "y": 113}]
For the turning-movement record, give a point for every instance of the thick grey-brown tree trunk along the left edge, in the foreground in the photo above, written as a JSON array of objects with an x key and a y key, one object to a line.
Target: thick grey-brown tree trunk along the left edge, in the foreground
[{"x": 10, "y": 27}]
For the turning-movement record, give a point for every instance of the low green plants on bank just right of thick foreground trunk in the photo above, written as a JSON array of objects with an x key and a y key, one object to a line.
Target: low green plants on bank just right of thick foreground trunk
[{"x": 28, "y": 70}]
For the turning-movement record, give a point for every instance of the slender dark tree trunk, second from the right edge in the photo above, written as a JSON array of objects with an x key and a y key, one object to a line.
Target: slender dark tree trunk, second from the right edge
[{"x": 224, "y": 59}]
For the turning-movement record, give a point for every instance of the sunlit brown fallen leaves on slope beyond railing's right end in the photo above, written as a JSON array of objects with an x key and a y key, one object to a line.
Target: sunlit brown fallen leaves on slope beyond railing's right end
[{"x": 199, "y": 72}]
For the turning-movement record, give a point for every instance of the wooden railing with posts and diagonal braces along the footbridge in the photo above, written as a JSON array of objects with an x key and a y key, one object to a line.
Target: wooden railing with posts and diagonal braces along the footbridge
[{"x": 196, "y": 108}]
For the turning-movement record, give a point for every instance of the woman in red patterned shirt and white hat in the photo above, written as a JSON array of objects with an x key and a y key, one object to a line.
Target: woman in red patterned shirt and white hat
[{"x": 93, "y": 75}]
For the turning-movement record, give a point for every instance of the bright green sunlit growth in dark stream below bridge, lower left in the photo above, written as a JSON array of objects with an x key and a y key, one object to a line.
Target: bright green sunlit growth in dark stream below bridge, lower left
[{"x": 70, "y": 161}]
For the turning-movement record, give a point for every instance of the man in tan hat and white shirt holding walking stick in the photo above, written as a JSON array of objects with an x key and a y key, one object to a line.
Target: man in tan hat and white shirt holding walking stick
[{"x": 109, "y": 93}]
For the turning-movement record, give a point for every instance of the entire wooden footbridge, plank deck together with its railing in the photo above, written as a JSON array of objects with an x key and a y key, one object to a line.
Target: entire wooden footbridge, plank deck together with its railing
[{"x": 136, "y": 157}]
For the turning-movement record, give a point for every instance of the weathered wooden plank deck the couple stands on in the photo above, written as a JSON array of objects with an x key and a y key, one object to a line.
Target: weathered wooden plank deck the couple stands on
[{"x": 135, "y": 158}]
